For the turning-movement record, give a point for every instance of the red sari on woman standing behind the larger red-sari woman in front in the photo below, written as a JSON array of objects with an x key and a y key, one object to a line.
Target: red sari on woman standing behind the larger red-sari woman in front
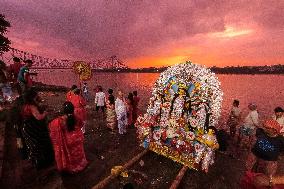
[{"x": 79, "y": 104}]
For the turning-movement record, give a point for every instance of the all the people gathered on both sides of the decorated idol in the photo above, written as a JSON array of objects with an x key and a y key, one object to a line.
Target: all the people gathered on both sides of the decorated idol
[{"x": 62, "y": 138}]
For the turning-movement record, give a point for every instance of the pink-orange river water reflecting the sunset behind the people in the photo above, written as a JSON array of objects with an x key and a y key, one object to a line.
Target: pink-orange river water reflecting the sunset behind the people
[{"x": 265, "y": 90}]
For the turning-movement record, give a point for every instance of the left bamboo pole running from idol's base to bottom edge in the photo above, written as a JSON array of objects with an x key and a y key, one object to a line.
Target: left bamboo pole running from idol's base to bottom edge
[{"x": 107, "y": 180}]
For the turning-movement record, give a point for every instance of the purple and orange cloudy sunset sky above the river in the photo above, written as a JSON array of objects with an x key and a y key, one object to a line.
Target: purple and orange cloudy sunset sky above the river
[{"x": 146, "y": 33}]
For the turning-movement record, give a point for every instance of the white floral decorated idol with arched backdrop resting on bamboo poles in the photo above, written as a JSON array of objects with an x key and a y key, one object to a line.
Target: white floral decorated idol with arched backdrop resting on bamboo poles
[{"x": 181, "y": 115}]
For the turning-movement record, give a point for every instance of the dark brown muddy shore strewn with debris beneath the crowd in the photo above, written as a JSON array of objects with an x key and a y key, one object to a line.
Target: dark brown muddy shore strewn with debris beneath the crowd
[{"x": 105, "y": 150}]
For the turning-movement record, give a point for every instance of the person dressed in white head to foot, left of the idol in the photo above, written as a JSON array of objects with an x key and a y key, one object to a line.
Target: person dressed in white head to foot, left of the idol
[{"x": 121, "y": 113}]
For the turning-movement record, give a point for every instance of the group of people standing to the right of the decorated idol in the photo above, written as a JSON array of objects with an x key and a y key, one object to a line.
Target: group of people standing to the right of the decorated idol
[{"x": 264, "y": 142}]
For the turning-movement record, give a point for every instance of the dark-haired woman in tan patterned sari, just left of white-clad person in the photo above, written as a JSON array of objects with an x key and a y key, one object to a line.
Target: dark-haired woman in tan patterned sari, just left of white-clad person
[{"x": 110, "y": 113}]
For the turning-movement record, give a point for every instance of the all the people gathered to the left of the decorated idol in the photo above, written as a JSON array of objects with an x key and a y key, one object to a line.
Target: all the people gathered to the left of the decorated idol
[{"x": 62, "y": 138}]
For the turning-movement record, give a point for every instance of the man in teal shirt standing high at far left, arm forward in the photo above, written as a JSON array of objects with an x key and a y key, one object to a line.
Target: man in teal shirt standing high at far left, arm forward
[{"x": 24, "y": 78}]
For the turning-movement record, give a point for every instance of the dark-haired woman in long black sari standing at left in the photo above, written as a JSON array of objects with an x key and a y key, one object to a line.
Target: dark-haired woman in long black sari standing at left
[{"x": 35, "y": 131}]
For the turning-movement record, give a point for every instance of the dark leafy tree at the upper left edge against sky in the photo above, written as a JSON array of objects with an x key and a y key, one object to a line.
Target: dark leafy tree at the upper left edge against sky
[{"x": 4, "y": 41}]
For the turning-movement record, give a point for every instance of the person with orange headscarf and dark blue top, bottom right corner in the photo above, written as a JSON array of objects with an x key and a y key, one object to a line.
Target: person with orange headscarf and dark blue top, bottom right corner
[{"x": 262, "y": 161}]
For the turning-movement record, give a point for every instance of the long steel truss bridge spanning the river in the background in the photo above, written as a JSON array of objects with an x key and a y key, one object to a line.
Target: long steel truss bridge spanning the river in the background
[{"x": 39, "y": 62}]
